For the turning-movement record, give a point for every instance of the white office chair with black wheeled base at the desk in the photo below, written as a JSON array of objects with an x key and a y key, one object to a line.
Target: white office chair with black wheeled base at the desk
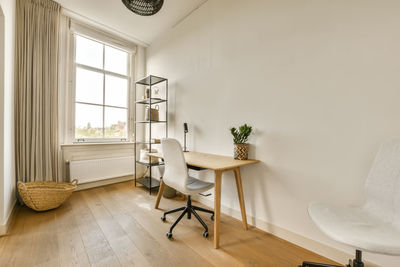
[{"x": 176, "y": 176}]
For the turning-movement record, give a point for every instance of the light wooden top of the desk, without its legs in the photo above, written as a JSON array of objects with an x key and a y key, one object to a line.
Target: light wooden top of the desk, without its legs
[{"x": 211, "y": 161}]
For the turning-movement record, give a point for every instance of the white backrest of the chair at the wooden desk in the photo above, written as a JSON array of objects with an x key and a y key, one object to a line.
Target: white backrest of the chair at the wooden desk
[{"x": 176, "y": 172}]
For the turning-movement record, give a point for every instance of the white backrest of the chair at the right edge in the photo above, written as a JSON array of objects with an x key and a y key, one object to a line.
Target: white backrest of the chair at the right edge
[{"x": 383, "y": 184}]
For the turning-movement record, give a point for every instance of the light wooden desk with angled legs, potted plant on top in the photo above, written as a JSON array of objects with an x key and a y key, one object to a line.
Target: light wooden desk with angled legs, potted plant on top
[{"x": 218, "y": 164}]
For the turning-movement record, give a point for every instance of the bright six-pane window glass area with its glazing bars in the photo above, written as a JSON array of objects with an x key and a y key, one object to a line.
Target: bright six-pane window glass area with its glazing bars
[{"x": 102, "y": 85}]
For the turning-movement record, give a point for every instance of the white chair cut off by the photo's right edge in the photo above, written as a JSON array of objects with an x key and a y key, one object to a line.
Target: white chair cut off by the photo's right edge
[{"x": 374, "y": 226}]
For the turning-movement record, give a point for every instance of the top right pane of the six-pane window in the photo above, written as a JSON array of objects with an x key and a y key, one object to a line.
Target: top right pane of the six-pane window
[{"x": 116, "y": 60}]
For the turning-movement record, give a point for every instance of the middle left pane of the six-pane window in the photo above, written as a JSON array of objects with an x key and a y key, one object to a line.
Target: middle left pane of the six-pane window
[{"x": 89, "y": 86}]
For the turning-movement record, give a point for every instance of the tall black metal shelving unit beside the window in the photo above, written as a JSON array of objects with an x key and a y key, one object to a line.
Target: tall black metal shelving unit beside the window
[{"x": 149, "y": 182}]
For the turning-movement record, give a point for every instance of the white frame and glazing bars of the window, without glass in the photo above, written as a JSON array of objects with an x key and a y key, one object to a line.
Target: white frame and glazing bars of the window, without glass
[{"x": 108, "y": 40}]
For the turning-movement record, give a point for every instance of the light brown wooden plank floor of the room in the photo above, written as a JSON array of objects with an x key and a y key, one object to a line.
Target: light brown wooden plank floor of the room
[{"x": 116, "y": 225}]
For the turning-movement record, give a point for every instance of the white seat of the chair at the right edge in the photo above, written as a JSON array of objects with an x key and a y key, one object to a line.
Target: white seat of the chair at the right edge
[{"x": 354, "y": 226}]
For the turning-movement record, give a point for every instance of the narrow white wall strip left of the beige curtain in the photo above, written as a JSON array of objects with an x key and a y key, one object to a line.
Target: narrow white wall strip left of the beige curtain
[{"x": 7, "y": 167}]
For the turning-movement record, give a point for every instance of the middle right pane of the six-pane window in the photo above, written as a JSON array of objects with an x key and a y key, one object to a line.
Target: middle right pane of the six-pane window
[{"x": 116, "y": 91}]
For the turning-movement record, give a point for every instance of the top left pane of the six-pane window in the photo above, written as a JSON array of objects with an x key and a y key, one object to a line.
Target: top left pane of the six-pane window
[{"x": 89, "y": 52}]
